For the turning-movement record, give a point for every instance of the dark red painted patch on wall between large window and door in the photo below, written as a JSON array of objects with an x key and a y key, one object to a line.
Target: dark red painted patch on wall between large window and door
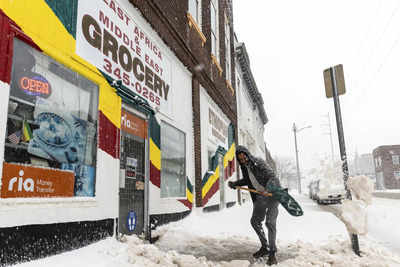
[{"x": 108, "y": 136}]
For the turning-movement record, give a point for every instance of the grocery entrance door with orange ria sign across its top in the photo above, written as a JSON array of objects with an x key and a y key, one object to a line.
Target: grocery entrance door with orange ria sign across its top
[{"x": 132, "y": 174}]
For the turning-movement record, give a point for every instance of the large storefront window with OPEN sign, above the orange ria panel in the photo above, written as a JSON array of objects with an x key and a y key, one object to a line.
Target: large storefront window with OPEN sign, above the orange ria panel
[{"x": 52, "y": 118}]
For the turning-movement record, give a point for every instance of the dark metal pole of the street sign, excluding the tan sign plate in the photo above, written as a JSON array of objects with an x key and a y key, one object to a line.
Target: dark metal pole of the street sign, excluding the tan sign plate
[{"x": 354, "y": 238}]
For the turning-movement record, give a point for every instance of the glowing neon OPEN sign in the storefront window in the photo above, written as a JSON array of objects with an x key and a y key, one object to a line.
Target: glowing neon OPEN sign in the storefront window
[{"x": 36, "y": 85}]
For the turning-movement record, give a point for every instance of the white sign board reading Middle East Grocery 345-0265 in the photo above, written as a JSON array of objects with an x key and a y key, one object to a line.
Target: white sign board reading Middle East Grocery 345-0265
[{"x": 110, "y": 39}]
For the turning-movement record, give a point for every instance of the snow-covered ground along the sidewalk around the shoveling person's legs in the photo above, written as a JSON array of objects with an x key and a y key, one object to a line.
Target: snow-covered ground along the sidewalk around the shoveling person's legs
[{"x": 225, "y": 238}]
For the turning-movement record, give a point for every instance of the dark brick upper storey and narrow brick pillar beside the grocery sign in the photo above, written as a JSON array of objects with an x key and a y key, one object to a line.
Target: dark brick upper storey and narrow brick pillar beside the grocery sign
[{"x": 171, "y": 21}]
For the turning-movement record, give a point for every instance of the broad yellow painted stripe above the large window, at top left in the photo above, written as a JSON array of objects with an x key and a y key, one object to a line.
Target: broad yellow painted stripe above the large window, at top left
[{"x": 38, "y": 21}]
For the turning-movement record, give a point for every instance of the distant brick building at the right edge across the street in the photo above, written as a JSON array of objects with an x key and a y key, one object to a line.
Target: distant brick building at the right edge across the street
[{"x": 387, "y": 167}]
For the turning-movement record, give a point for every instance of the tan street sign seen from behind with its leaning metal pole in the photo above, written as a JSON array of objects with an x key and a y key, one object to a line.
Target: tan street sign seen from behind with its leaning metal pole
[{"x": 334, "y": 86}]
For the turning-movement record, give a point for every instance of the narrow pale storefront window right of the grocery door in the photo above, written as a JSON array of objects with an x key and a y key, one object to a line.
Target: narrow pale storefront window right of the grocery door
[{"x": 173, "y": 162}]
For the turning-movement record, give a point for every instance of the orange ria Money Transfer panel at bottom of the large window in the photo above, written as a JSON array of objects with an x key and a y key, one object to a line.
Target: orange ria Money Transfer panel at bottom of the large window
[{"x": 27, "y": 181}]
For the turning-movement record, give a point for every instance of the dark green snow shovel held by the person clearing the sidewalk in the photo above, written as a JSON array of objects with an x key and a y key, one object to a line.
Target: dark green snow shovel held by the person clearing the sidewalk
[{"x": 282, "y": 196}]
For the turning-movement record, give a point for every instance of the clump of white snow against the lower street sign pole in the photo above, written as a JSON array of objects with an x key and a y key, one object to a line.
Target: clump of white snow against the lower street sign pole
[{"x": 354, "y": 212}]
